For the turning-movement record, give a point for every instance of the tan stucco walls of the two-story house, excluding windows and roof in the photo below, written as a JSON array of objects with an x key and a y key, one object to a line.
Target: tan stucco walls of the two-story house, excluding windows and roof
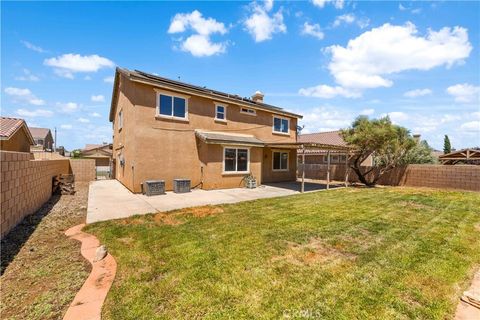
[{"x": 158, "y": 148}]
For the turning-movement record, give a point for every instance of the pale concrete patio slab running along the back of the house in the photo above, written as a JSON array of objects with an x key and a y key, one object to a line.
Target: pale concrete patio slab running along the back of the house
[{"x": 109, "y": 199}]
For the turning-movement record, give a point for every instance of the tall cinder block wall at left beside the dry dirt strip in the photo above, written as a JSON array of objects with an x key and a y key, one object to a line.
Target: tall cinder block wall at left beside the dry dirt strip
[{"x": 25, "y": 186}]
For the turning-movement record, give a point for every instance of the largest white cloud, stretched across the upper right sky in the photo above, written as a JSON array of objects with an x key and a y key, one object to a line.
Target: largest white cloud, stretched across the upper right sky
[{"x": 368, "y": 60}]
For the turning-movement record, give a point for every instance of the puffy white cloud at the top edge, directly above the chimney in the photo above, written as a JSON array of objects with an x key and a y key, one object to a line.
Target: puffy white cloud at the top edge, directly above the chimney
[{"x": 261, "y": 25}]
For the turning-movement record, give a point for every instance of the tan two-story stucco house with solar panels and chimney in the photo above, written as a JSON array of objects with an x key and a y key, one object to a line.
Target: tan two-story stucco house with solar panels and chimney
[{"x": 166, "y": 129}]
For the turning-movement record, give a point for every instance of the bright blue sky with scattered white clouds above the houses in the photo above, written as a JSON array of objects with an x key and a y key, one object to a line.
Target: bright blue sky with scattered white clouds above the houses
[{"x": 328, "y": 60}]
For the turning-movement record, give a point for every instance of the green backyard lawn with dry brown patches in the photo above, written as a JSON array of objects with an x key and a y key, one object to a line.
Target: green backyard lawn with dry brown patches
[{"x": 351, "y": 253}]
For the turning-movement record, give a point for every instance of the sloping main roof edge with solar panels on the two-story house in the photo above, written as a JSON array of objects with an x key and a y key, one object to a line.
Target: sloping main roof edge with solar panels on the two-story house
[{"x": 144, "y": 77}]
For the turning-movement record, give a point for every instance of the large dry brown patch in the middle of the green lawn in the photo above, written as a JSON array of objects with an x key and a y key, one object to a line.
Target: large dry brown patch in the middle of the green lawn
[{"x": 312, "y": 252}]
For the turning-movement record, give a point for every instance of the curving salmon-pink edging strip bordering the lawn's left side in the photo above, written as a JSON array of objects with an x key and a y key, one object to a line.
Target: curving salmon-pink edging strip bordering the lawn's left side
[{"x": 88, "y": 302}]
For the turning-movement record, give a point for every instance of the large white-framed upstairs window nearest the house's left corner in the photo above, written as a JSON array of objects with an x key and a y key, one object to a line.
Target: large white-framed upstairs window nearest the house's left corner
[{"x": 172, "y": 105}]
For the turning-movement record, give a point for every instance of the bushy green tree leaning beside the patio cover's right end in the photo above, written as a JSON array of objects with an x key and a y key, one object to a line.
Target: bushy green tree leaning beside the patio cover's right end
[{"x": 387, "y": 143}]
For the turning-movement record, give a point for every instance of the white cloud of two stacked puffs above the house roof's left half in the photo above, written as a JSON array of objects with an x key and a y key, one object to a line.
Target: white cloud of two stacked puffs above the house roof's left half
[{"x": 199, "y": 44}]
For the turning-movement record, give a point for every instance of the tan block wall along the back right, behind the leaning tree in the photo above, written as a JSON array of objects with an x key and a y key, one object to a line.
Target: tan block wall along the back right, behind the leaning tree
[{"x": 463, "y": 177}]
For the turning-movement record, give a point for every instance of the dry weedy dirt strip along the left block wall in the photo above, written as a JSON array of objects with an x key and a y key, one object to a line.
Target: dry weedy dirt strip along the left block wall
[{"x": 42, "y": 269}]
